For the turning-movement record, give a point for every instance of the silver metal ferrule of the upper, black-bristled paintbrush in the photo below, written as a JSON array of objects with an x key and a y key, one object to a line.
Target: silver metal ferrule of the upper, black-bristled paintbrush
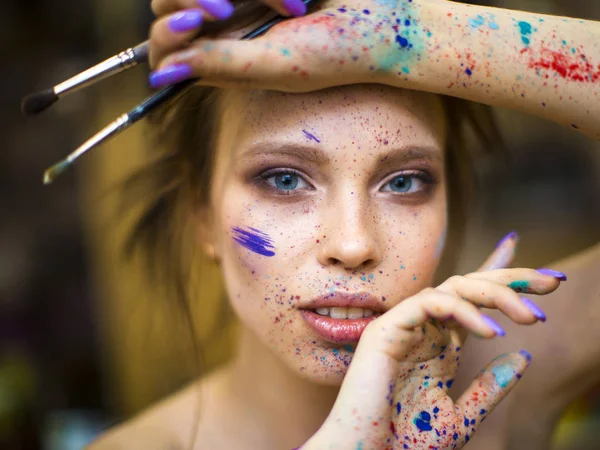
[{"x": 112, "y": 66}]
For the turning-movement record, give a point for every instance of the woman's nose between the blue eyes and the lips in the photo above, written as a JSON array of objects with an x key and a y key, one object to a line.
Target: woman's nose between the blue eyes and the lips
[{"x": 351, "y": 241}]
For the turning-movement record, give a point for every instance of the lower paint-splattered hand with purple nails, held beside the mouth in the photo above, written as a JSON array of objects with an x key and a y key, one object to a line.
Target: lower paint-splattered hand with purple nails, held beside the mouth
[{"x": 394, "y": 395}]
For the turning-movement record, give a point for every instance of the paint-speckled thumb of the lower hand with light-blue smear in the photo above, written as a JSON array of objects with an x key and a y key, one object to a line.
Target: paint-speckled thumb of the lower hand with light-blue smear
[{"x": 488, "y": 389}]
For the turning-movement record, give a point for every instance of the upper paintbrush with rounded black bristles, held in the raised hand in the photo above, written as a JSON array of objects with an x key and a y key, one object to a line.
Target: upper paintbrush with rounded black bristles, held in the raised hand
[{"x": 248, "y": 10}]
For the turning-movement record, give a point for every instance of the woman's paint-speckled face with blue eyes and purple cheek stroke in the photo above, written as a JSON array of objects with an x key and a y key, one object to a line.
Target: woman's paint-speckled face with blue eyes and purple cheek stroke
[{"x": 328, "y": 209}]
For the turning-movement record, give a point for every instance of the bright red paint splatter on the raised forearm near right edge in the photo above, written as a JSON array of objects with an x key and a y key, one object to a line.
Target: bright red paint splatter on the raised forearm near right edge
[{"x": 572, "y": 67}]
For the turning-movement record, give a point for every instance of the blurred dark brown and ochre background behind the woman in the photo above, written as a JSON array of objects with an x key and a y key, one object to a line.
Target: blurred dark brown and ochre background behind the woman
[{"x": 84, "y": 344}]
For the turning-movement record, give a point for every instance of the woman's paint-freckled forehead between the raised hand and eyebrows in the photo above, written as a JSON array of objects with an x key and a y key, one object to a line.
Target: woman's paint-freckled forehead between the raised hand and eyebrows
[{"x": 357, "y": 117}]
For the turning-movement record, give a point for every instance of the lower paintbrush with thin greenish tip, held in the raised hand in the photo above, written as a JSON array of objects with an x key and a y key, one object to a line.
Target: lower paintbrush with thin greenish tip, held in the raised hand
[{"x": 139, "y": 112}]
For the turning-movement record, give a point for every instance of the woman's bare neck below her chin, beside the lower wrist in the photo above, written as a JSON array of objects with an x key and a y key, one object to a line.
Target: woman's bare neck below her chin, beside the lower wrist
[{"x": 288, "y": 407}]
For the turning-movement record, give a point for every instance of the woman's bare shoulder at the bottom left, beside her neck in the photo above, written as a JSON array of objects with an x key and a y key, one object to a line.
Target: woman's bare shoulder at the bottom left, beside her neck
[{"x": 167, "y": 425}]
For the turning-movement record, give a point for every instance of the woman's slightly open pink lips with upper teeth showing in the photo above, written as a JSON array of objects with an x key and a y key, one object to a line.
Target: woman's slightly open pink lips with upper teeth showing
[{"x": 341, "y": 318}]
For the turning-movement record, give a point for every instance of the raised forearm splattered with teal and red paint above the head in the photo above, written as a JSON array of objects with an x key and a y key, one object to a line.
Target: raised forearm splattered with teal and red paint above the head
[{"x": 544, "y": 65}]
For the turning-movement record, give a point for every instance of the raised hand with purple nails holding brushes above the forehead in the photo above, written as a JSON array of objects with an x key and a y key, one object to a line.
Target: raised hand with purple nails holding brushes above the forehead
[{"x": 333, "y": 46}]
